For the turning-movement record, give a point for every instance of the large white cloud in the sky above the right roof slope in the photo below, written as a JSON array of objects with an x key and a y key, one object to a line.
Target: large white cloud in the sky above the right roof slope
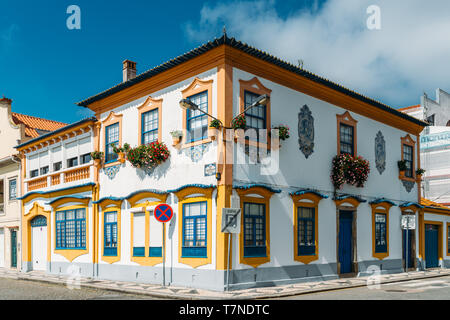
[{"x": 409, "y": 55}]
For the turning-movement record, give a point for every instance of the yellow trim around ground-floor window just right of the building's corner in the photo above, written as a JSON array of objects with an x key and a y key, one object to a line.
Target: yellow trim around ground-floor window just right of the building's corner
[{"x": 244, "y": 197}]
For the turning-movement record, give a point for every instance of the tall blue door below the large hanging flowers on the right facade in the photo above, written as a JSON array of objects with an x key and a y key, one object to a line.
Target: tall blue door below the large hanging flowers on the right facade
[{"x": 345, "y": 241}]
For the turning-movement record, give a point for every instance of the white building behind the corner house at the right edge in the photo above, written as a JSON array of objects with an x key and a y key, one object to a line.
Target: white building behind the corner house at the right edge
[{"x": 434, "y": 145}]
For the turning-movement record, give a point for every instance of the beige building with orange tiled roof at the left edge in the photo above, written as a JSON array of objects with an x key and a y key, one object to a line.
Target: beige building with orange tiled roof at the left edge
[{"x": 14, "y": 129}]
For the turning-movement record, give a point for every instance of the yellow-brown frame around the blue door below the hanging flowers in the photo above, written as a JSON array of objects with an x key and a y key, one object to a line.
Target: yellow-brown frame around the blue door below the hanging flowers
[{"x": 353, "y": 208}]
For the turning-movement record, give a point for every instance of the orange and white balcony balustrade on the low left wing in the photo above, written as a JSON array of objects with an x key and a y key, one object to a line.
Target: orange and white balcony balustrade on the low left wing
[{"x": 61, "y": 177}]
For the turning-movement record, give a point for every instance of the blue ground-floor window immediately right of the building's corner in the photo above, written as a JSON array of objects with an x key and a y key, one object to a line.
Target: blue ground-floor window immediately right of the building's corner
[{"x": 254, "y": 229}]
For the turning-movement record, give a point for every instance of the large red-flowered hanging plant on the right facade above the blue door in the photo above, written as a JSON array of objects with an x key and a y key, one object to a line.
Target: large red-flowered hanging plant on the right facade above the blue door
[{"x": 350, "y": 170}]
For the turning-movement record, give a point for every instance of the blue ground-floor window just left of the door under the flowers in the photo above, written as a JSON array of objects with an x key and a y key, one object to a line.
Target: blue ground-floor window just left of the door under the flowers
[{"x": 306, "y": 231}]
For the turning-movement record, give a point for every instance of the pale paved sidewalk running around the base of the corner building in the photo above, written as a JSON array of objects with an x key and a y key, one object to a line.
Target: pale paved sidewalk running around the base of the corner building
[{"x": 199, "y": 294}]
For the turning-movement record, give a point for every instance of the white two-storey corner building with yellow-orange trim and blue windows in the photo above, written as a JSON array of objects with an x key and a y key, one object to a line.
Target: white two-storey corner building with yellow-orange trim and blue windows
[{"x": 98, "y": 219}]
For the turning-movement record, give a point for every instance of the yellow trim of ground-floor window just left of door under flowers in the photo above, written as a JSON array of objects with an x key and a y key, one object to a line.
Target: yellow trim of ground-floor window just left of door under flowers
[{"x": 299, "y": 201}]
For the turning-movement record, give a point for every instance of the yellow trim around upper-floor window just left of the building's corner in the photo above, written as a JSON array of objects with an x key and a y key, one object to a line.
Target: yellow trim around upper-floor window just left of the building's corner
[{"x": 197, "y": 86}]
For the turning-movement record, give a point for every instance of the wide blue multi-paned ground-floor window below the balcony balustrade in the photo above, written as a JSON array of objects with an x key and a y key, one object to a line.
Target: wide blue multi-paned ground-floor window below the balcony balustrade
[{"x": 71, "y": 229}]
